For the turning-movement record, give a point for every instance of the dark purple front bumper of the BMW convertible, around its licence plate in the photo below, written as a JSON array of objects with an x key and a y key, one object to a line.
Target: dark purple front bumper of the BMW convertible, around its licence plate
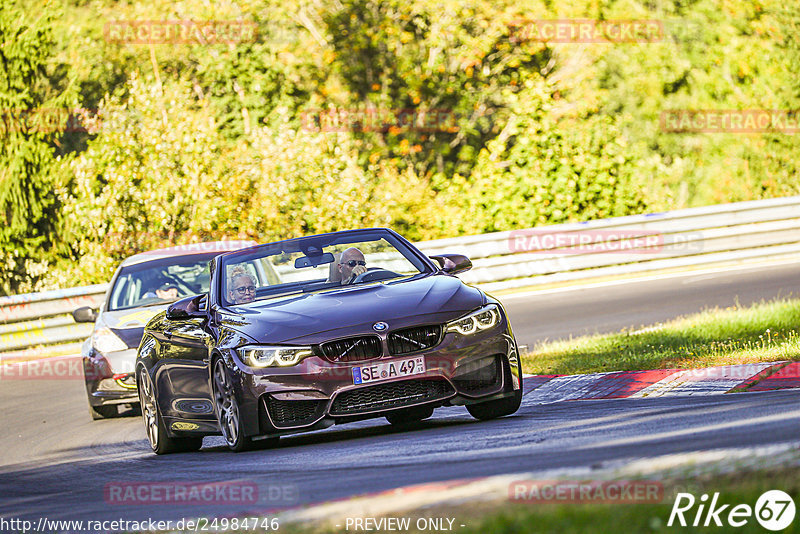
[{"x": 461, "y": 369}]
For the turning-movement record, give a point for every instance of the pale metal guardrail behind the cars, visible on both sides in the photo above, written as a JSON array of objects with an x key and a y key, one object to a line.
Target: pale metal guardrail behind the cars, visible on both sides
[{"x": 38, "y": 324}]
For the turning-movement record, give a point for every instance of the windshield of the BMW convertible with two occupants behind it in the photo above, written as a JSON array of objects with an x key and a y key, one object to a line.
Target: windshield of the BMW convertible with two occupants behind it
[{"x": 317, "y": 263}]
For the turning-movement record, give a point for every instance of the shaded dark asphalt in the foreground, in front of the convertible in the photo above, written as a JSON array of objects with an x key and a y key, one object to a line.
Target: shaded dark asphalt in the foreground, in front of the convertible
[{"x": 559, "y": 436}]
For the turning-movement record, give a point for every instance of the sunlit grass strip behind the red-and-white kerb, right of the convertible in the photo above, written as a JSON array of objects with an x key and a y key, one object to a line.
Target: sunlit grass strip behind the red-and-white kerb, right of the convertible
[{"x": 769, "y": 331}]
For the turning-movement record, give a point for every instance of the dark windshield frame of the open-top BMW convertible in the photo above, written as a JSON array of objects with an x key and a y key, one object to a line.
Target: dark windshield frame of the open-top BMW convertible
[{"x": 419, "y": 260}]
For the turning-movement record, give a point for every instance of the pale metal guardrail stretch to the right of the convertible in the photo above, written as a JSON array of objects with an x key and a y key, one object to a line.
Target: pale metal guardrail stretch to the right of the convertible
[{"x": 695, "y": 236}]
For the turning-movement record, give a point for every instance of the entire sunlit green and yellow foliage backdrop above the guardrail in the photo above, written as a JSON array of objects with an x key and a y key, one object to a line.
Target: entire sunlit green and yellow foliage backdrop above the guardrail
[{"x": 209, "y": 141}]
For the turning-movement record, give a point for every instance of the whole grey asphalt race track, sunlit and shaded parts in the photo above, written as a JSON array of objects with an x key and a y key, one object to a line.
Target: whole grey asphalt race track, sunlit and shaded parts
[{"x": 57, "y": 463}]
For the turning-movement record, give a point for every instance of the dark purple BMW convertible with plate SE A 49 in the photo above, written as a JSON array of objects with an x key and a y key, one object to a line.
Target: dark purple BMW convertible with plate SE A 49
[{"x": 301, "y": 334}]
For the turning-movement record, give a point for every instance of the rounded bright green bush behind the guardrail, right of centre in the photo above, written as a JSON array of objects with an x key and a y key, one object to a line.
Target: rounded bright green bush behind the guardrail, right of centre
[{"x": 541, "y": 171}]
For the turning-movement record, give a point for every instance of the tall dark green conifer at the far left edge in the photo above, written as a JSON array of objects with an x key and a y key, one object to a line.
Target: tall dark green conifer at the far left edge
[{"x": 32, "y": 92}]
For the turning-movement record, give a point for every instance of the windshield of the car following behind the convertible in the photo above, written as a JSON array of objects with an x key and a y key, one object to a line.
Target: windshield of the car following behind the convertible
[{"x": 158, "y": 281}]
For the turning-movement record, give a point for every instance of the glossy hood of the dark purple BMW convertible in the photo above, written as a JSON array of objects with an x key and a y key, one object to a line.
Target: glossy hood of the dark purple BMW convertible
[{"x": 354, "y": 309}]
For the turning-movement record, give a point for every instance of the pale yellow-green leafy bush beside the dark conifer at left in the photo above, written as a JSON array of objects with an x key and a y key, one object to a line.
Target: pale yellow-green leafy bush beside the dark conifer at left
[{"x": 141, "y": 182}]
